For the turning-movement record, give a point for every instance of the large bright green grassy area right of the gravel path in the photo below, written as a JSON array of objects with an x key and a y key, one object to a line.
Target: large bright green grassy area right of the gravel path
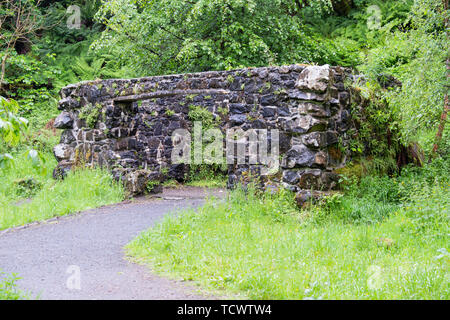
[{"x": 384, "y": 239}]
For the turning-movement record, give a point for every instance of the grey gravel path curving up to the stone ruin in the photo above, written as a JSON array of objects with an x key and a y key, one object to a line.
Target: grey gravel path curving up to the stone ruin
[{"x": 48, "y": 256}]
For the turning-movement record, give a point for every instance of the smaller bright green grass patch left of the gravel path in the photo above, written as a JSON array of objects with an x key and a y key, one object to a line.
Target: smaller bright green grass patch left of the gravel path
[{"x": 26, "y": 195}]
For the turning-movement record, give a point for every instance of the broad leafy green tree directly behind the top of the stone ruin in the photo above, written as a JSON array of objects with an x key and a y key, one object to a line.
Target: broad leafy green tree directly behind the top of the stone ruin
[{"x": 178, "y": 36}]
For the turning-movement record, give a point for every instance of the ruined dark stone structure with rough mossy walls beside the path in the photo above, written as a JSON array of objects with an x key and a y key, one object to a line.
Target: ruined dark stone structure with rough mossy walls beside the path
[{"x": 127, "y": 124}]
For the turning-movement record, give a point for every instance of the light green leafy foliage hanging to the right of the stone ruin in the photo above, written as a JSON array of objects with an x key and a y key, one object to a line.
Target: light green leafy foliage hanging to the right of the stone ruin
[{"x": 417, "y": 59}]
